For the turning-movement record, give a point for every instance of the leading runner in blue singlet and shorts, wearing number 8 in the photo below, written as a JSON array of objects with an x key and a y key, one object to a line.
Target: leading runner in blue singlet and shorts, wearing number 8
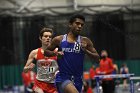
[{"x": 72, "y": 49}]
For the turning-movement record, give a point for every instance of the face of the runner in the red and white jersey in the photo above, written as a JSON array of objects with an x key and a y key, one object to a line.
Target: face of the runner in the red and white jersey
[{"x": 46, "y": 38}]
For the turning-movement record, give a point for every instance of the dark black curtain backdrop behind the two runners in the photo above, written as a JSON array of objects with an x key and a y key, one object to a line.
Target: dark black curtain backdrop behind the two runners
[{"x": 110, "y": 31}]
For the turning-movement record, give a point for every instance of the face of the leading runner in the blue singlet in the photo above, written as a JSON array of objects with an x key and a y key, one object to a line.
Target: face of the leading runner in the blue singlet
[{"x": 77, "y": 26}]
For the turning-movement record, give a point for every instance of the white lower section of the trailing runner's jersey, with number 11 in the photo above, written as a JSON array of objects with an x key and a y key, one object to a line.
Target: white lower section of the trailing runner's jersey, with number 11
[{"x": 46, "y": 70}]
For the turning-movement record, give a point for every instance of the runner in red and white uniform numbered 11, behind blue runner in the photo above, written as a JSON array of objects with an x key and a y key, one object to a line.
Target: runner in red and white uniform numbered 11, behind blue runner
[{"x": 46, "y": 66}]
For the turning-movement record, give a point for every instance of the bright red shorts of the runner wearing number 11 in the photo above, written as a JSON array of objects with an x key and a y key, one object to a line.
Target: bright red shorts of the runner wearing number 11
[{"x": 46, "y": 87}]
